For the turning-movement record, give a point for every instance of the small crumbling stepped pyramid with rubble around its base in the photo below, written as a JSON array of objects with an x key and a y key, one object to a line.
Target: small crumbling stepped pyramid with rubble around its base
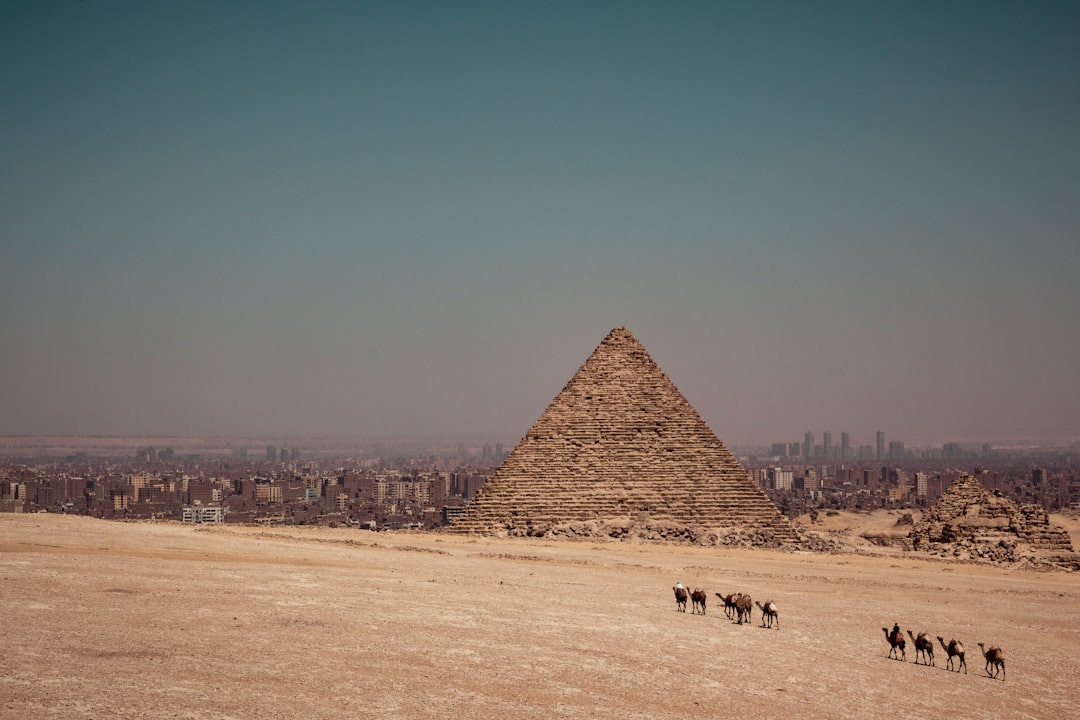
[{"x": 971, "y": 523}]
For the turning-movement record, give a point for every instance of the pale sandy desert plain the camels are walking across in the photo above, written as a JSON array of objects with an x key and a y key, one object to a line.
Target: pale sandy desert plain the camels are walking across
[{"x": 145, "y": 620}]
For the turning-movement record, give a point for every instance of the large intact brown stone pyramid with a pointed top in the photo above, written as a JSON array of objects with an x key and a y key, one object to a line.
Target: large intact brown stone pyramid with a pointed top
[{"x": 622, "y": 454}]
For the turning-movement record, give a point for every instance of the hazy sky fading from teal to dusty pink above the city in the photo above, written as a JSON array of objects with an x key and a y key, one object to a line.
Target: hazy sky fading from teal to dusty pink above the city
[{"x": 360, "y": 220}]
